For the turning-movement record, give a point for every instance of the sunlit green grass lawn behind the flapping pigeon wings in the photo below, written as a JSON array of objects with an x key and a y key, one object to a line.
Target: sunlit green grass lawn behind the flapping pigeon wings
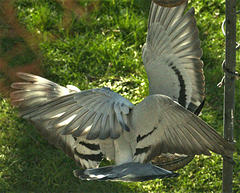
[{"x": 93, "y": 44}]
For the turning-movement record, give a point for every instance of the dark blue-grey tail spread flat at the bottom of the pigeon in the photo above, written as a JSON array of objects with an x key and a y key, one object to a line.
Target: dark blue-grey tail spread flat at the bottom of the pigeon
[{"x": 128, "y": 172}]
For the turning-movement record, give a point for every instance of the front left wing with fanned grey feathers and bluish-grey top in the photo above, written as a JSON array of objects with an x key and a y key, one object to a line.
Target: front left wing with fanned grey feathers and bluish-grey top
[{"x": 93, "y": 112}]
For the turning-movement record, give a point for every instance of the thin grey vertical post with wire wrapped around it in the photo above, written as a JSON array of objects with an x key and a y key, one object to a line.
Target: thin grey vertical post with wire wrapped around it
[{"x": 229, "y": 89}]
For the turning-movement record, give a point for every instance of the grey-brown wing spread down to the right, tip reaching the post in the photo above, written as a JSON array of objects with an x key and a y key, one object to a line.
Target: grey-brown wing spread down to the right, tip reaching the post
[{"x": 167, "y": 127}]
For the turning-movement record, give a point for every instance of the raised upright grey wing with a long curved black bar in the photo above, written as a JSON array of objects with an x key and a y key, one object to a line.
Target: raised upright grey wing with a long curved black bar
[{"x": 171, "y": 56}]
